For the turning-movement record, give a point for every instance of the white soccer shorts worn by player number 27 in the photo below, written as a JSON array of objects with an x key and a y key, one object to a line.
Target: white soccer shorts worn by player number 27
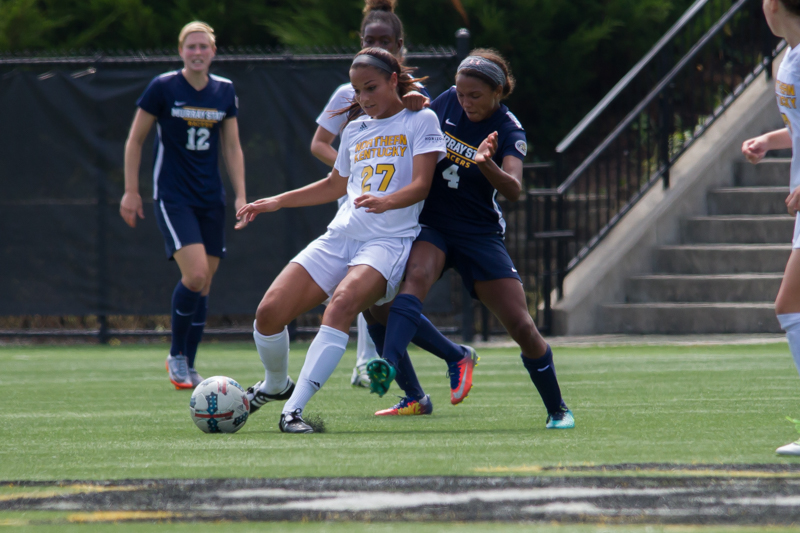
[{"x": 327, "y": 259}]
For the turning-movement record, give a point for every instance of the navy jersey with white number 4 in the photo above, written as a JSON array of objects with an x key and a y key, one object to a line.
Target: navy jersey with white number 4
[{"x": 461, "y": 199}]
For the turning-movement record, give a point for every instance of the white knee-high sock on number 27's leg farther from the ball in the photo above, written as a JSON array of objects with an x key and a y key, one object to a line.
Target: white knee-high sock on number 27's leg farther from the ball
[{"x": 322, "y": 358}]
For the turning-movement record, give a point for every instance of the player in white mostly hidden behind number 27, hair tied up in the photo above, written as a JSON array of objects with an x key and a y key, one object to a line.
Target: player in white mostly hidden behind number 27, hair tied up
[{"x": 380, "y": 27}]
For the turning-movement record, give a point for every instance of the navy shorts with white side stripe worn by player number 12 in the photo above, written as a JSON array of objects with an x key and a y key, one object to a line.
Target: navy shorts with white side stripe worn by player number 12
[{"x": 182, "y": 225}]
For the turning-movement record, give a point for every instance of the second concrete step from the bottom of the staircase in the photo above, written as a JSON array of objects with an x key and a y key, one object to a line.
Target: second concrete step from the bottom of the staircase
[{"x": 699, "y": 288}]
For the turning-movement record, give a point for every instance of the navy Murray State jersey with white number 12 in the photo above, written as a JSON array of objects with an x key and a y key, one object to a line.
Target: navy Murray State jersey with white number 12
[{"x": 186, "y": 160}]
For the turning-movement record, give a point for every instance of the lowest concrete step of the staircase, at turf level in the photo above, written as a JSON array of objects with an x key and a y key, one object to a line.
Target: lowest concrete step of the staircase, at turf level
[{"x": 687, "y": 318}]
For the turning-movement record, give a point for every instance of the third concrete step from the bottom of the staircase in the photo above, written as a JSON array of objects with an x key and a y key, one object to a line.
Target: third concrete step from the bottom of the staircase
[{"x": 721, "y": 259}]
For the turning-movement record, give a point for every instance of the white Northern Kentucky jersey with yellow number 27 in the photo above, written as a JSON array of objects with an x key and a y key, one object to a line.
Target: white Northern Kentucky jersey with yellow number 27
[{"x": 378, "y": 157}]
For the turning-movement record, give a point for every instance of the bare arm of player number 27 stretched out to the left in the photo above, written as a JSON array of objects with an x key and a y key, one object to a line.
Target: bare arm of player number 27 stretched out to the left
[{"x": 324, "y": 191}]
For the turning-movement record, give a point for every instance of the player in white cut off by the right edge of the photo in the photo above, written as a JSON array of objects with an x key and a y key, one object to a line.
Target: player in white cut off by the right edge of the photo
[{"x": 783, "y": 17}]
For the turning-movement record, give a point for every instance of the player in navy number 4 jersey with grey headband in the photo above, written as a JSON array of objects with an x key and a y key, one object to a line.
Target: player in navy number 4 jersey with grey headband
[{"x": 463, "y": 228}]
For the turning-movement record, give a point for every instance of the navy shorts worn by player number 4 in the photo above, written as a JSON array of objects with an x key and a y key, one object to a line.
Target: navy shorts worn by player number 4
[{"x": 475, "y": 257}]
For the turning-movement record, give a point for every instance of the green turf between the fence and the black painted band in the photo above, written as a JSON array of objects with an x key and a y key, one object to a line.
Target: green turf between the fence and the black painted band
[{"x": 99, "y": 412}]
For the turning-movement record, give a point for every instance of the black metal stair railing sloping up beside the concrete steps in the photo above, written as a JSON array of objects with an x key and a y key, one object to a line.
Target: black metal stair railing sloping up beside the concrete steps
[{"x": 631, "y": 139}]
